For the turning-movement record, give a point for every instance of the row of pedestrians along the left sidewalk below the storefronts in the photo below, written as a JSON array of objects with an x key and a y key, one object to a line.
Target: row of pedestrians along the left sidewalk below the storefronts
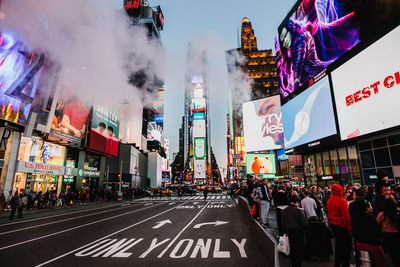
[{"x": 20, "y": 201}]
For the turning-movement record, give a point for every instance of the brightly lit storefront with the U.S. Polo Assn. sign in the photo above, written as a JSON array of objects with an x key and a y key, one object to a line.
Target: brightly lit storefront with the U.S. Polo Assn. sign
[{"x": 40, "y": 166}]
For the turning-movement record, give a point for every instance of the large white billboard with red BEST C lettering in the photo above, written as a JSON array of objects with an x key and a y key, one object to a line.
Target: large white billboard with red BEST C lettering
[{"x": 367, "y": 88}]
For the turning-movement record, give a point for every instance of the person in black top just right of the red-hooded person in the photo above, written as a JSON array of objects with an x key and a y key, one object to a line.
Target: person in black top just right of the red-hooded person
[{"x": 366, "y": 231}]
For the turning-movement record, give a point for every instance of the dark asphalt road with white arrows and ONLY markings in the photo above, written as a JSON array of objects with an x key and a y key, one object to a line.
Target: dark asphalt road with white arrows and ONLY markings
[{"x": 149, "y": 232}]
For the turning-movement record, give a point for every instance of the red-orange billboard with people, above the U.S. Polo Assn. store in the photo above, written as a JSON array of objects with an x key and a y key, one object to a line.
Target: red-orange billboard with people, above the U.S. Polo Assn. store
[{"x": 69, "y": 121}]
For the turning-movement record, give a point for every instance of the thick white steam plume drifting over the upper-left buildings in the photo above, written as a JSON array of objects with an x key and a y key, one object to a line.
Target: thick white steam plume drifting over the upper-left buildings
[{"x": 94, "y": 43}]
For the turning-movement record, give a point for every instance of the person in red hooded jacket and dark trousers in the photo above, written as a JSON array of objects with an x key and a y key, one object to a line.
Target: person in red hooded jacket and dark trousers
[{"x": 339, "y": 221}]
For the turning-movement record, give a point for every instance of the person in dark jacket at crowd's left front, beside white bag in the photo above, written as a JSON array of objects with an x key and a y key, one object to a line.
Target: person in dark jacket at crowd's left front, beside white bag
[{"x": 294, "y": 224}]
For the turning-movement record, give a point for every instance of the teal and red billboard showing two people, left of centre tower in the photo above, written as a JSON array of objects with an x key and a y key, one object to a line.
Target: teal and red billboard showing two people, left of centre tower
[{"x": 104, "y": 132}]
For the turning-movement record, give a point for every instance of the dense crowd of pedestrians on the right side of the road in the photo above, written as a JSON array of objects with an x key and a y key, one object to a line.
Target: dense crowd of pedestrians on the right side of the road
[{"x": 363, "y": 220}]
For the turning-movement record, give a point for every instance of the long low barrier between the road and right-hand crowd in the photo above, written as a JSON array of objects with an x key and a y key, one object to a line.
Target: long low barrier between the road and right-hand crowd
[{"x": 264, "y": 239}]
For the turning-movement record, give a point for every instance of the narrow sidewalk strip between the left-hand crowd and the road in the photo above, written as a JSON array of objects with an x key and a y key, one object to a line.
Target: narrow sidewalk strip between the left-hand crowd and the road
[{"x": 35, "y": 213}]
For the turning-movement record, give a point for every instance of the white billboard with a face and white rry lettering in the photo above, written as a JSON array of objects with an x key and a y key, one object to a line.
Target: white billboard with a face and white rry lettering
[{"x": 262, "y": 124}]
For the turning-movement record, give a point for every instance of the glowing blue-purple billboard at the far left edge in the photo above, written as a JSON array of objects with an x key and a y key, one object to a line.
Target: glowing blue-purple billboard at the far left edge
[{"x": 24, "y": 76}]
